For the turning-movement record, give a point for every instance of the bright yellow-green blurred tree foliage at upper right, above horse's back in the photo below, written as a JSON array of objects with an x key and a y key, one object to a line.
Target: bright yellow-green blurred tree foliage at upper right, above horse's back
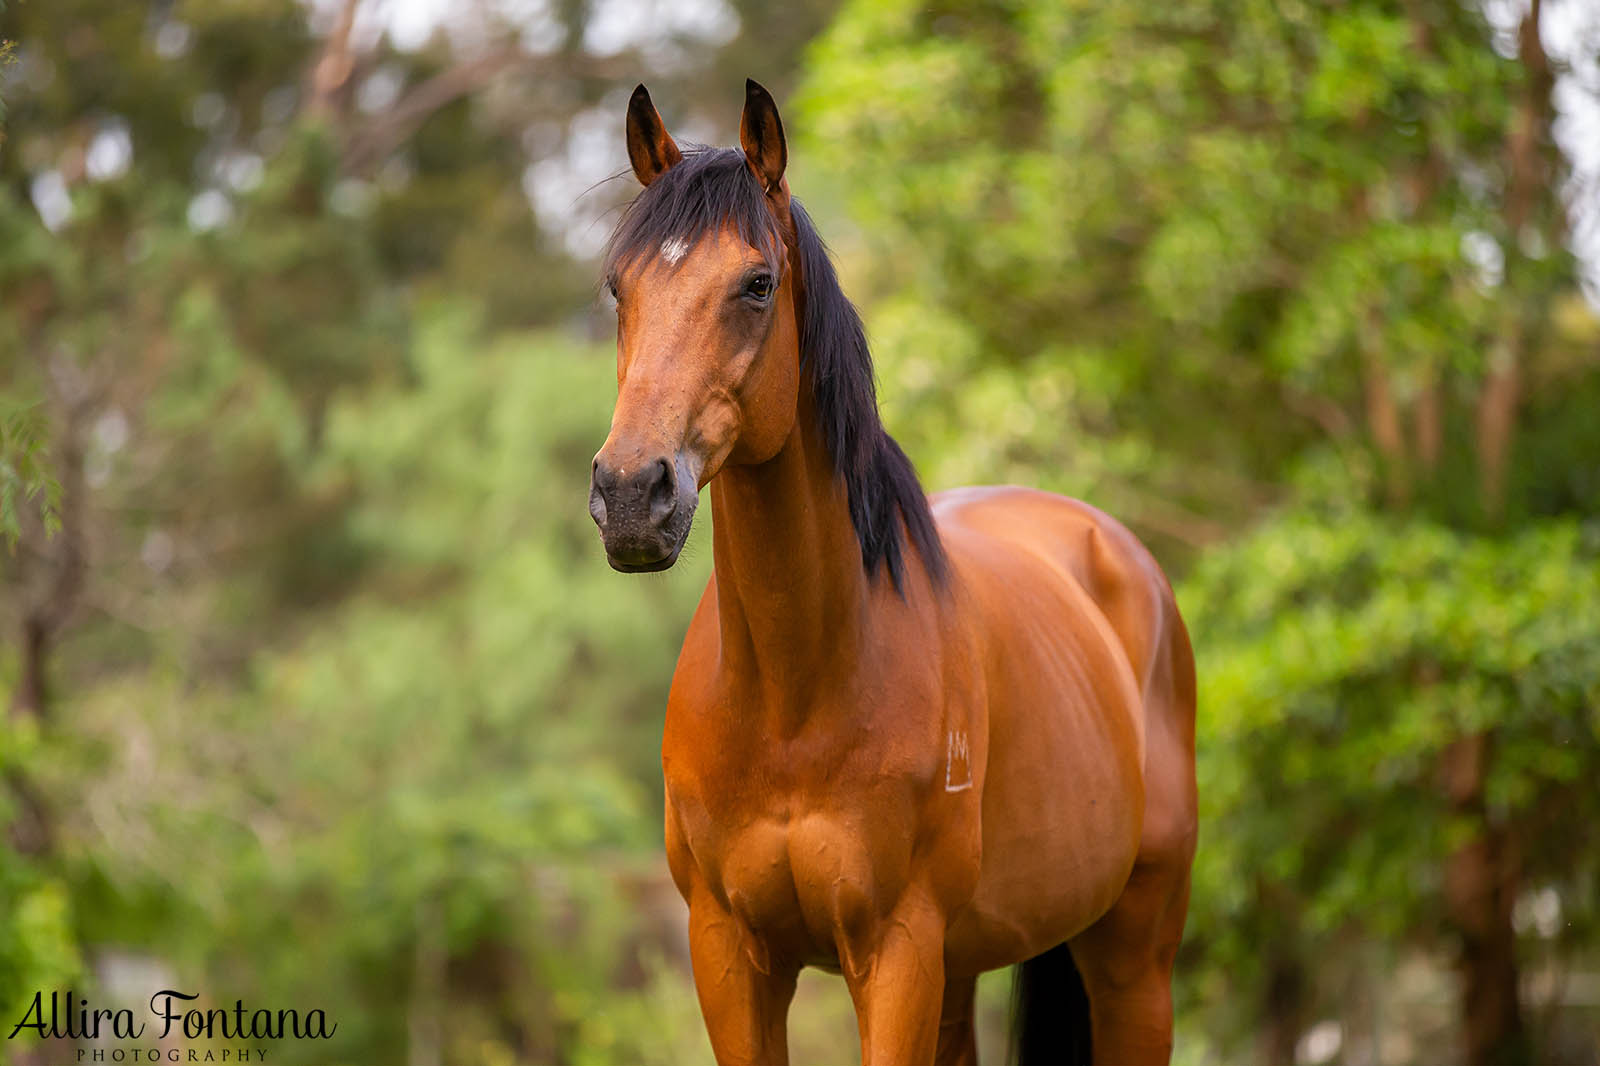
[{"x": 1105, "y": 223}]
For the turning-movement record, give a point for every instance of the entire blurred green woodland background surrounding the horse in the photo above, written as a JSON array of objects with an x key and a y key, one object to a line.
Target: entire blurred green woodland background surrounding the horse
[{"x": 321, "y": 694}]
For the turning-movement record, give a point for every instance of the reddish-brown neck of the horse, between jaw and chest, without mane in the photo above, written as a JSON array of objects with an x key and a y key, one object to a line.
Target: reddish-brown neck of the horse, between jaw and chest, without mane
[{"x": 791, "y": 591}]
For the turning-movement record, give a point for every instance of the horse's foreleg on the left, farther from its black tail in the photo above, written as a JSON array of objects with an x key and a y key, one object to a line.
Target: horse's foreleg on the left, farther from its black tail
[{"x": 745, "y": 996}]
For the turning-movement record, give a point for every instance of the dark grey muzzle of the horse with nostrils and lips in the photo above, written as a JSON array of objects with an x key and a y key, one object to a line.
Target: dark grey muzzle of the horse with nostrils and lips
[{"x": 644, "y": 511}]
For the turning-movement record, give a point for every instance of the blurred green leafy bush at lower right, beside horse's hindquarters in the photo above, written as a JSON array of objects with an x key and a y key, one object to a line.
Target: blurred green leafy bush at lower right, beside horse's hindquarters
[{"x": 1345, "y": 654}]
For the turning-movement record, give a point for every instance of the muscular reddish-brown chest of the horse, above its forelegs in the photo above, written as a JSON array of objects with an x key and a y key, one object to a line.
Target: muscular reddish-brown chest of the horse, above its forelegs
[{"x": 804, "y": 836}]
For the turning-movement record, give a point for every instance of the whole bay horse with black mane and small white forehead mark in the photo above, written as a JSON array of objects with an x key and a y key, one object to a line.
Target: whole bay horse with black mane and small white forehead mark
[{"x": 908, "y": 740}]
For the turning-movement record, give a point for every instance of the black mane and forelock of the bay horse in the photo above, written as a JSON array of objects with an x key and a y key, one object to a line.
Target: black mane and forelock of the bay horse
[{"x": 713, "y": 190}]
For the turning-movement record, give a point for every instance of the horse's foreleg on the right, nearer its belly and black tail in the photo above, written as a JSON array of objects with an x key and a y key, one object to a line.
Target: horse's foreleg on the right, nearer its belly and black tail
[{"x": 898, "y": 984}]
